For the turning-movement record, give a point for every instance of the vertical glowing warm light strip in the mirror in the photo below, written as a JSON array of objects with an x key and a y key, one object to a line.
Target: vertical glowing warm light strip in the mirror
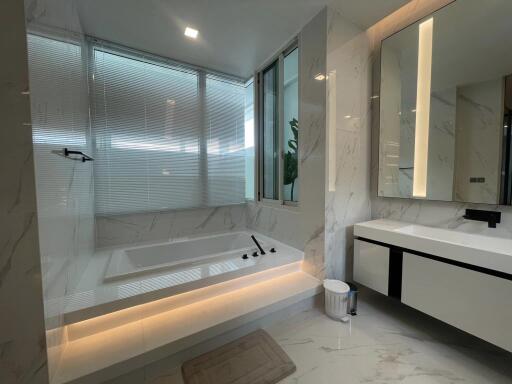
[{"x": 423, "y": 108}]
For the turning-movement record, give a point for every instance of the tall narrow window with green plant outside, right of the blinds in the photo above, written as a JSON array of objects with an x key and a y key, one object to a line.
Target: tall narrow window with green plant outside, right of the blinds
[{"x": 279, "y": 129}]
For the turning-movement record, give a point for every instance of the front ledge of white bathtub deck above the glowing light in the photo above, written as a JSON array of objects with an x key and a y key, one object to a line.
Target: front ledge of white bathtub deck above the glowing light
[{"x": 96, "y": 297}]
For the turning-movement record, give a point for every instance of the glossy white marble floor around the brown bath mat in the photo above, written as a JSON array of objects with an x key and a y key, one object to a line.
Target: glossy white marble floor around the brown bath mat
[{"x": 385, "y": 343}]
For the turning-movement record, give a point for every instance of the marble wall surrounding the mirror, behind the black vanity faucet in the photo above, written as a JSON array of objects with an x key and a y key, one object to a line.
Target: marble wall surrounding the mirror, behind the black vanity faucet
[{"x": 432, "y": 213}]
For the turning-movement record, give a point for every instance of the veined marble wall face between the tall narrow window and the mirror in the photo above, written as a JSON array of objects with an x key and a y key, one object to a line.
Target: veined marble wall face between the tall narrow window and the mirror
[{"x": 347, "y": 197}]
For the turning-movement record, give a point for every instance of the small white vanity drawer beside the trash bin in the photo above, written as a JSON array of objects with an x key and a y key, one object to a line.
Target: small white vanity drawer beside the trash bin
[{"x": 371, "y": 265}]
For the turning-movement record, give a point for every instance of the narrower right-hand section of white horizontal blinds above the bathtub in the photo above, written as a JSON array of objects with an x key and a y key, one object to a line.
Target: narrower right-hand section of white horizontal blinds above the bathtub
[{"x": 225, "y": 123}]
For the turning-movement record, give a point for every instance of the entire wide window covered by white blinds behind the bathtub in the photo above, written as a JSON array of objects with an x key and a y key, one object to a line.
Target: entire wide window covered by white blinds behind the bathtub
[{"x": 167, "y": 136}]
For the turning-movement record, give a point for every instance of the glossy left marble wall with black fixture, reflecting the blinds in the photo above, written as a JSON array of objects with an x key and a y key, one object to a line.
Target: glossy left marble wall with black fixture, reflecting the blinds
[{"x": 60, "y": 119}]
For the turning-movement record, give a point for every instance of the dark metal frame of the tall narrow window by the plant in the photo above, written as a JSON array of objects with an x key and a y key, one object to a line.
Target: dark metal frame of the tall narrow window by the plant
[{"x": 259, "y": 131}]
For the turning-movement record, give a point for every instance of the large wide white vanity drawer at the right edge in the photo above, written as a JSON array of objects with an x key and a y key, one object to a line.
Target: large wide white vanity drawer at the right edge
[{"x": 475, "y": 302}]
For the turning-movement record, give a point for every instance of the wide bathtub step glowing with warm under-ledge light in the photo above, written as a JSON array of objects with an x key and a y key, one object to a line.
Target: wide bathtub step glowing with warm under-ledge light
[{"x": 119, "y": 349}]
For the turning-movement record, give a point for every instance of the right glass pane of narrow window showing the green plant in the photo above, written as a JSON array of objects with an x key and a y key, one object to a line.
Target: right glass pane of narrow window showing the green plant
[{"x": 291, "y": 125}]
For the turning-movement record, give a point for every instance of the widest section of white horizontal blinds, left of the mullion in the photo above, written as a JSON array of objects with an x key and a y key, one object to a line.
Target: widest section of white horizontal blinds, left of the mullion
[{"x": 146, "y": 127}]
